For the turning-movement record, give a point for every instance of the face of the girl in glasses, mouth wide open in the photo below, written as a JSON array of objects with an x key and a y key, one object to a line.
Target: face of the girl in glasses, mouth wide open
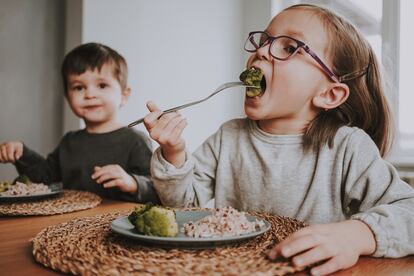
[{"x": 290, "y": 84}]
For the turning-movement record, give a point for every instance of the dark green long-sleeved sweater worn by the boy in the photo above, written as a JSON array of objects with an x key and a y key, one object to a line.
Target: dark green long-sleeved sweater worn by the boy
[{"x": 78, "y": 152}]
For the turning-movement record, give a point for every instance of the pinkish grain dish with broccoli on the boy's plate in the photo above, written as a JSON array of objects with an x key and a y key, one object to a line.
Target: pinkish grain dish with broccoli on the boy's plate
[{"x": 22, "y": 186}]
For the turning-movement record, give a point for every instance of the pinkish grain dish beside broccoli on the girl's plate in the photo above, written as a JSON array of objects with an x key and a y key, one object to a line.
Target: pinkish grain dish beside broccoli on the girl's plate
[{"x": 223, "y": 222}]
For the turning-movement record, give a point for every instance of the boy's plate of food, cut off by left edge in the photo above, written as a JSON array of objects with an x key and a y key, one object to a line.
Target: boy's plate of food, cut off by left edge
[{"x": 22, "y": 189}]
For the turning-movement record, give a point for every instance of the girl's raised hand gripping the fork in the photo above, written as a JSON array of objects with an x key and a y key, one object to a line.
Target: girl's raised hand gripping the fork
[{"x": 166, "y": 131}]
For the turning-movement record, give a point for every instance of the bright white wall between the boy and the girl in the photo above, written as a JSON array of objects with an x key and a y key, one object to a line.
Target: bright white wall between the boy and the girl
[{"x": 178, "y": 51}]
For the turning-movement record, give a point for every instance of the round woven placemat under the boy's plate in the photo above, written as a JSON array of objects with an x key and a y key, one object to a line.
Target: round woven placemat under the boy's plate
[{"x": 68, "y": 201}]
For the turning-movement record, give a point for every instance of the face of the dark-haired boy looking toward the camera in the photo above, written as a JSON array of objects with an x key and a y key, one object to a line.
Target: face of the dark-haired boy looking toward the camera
[{"x": 95, "y": 96}]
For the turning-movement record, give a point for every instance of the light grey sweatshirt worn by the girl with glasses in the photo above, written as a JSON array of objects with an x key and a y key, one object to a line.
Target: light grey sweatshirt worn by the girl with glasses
[{"x": 243, "y": 167}]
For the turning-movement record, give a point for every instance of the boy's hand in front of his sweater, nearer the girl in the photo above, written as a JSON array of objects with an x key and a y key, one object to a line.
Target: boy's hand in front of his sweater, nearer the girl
[{"x": 114, "y": 176}]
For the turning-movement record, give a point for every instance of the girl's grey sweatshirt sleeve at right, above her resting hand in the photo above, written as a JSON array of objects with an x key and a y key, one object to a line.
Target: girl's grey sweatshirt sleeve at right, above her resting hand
[{"x": 376, "y": 195}]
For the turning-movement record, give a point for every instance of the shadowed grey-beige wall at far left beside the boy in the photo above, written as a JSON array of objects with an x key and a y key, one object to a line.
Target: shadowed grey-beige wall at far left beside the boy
[{"x": 31, "y": 94}]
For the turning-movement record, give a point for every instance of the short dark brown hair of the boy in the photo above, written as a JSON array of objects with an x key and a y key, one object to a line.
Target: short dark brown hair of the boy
[{"x": 91, "y": 56}]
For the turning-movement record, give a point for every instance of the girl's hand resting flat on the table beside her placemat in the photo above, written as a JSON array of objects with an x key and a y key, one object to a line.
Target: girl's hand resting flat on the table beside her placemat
[{"x": 338, "y": 244}]
